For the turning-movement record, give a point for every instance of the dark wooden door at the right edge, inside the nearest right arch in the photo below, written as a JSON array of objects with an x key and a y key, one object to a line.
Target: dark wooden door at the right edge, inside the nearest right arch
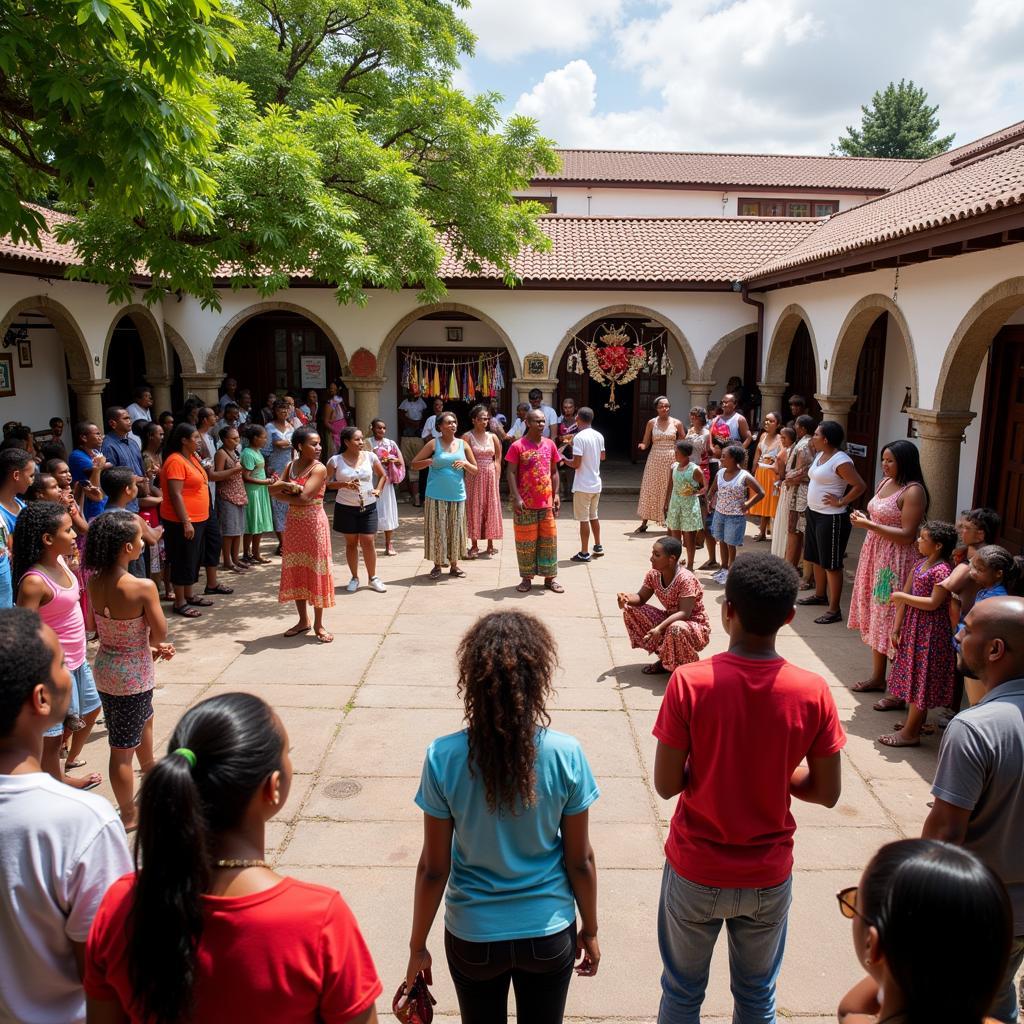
[{"x": 1001, "y": 461}]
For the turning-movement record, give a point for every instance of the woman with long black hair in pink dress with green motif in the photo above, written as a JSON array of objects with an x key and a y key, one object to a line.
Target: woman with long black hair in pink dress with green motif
[{"x": 893, "y": 519}]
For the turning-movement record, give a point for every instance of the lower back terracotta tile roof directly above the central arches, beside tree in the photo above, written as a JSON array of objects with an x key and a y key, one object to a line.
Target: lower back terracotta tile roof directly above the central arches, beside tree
[{"x": 644, "y": 250}]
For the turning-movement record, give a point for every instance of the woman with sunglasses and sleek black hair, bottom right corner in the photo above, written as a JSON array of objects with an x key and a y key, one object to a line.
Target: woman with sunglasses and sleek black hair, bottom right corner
[{"x": 920, "y": 904}]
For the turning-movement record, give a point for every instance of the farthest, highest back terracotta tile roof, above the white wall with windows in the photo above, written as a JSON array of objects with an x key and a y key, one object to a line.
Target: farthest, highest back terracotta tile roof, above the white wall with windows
[{"x": 866, "y": 175}]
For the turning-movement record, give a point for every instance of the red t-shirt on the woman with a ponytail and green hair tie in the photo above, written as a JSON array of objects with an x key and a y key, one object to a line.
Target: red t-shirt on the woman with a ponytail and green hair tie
[{"x": 290, "y": 955}]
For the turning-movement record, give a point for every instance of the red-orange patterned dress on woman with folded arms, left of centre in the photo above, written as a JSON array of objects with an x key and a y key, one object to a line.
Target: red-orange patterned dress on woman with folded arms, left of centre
[{"x": 306, "y": 564}]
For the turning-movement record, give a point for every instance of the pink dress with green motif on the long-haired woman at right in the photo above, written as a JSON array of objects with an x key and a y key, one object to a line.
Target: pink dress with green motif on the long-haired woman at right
[{"x": 882, "y": 570}]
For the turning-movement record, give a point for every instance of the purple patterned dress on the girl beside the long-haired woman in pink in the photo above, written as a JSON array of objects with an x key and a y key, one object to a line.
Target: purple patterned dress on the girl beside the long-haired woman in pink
[{"x": 923, "y": 672}]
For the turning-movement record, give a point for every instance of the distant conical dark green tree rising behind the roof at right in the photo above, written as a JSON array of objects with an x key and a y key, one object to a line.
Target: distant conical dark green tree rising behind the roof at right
[{"x": 900, "y": 123}]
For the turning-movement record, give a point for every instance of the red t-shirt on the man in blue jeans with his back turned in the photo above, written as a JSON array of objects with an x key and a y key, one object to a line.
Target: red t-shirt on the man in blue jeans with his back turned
[{"x": 748, "y": 726}]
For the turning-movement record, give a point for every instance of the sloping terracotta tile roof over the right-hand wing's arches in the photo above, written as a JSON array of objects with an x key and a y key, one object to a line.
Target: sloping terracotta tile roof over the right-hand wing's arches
[{"x": 967, "y": 191}]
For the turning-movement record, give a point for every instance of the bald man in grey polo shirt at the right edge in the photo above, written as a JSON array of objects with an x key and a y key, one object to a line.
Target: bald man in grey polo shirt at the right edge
[{"x": 979, "y": 781}]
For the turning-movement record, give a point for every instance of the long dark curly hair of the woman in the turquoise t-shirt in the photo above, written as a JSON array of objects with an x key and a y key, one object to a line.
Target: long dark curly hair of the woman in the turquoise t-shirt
[{"x": 506, "y": 663}]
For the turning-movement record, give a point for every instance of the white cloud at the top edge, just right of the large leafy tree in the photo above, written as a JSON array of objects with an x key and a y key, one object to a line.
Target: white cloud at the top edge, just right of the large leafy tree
[{"x": 509, "y": 29}]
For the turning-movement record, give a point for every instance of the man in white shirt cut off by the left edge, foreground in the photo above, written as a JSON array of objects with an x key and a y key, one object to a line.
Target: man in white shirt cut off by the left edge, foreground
[{"x": 61, "y": 849}]
